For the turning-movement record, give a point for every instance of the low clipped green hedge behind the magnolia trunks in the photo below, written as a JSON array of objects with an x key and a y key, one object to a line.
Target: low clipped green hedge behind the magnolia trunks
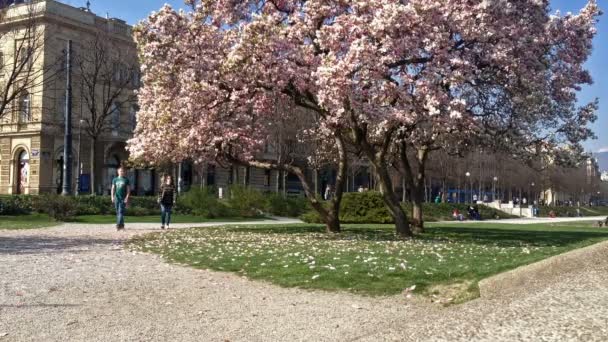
[{"x": 368, "y": 207}]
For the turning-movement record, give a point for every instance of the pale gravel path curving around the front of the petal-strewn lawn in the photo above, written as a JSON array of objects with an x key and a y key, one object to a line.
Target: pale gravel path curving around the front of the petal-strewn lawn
[{"x": 76, "y": 283}]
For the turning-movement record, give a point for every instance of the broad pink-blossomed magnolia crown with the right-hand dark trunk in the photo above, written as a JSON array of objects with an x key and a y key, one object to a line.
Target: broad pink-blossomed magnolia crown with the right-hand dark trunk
[{"x": 371, "y": 71}]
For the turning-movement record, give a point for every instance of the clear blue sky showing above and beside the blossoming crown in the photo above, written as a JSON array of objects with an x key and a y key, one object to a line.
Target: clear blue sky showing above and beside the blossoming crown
[{"x": 135, "y": 10}]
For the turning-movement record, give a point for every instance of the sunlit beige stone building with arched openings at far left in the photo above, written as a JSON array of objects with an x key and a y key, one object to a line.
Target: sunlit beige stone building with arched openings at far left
[{"x": 32, "y": 133}]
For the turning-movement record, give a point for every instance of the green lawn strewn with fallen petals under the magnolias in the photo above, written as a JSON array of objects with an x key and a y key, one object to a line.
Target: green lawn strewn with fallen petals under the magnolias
[{"x": 449, "y": 259}]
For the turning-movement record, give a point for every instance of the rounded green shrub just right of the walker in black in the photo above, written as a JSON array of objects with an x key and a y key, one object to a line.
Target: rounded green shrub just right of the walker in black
[{"x": 203, "y": 202}]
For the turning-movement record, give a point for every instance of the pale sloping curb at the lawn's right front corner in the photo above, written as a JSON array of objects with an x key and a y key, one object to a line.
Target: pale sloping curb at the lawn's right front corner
[{"x": 538, "y": 274}]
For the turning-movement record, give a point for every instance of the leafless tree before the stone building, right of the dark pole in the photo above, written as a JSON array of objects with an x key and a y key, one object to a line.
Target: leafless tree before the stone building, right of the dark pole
[{"x": 108, "y": 73}]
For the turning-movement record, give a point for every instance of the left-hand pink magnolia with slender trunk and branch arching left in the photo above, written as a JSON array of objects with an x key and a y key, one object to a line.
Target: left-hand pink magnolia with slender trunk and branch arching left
[{"x": 196, "y": 104}]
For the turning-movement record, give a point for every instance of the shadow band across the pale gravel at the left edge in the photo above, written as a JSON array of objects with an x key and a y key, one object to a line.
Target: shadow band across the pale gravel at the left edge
[{"x": 49, "y": 245}]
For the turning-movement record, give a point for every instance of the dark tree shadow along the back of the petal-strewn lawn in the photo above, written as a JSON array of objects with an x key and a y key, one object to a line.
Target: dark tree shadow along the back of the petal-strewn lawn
[{"x": 501, "y": 237}]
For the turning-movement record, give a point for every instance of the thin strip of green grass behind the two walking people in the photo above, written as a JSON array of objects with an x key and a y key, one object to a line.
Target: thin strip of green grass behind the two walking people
[{"x": 156, "y": 218}]
